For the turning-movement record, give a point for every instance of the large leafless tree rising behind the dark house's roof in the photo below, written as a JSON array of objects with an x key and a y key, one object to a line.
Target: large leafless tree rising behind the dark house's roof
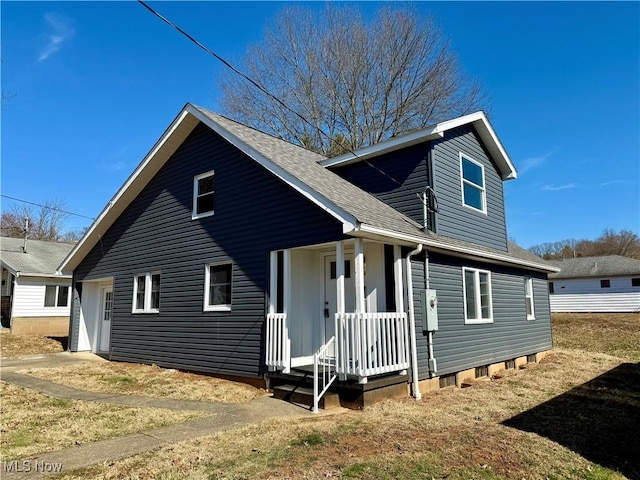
[{"x": 358, "y": 82}]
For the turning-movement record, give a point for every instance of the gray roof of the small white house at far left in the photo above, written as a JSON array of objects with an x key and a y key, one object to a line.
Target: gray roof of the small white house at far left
[{"x": 41, "y": 259}]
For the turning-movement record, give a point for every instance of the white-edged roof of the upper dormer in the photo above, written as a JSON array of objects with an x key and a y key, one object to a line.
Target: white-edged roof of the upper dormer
[{"x": 478, "y": 120}]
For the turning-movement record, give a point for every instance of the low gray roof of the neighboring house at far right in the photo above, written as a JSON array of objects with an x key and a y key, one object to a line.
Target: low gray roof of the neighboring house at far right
[{"x": 604, "y": 266}]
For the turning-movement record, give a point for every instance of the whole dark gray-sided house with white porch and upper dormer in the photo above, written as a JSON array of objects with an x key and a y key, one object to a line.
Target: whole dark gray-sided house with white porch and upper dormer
[{"x": 231, "y": 252}]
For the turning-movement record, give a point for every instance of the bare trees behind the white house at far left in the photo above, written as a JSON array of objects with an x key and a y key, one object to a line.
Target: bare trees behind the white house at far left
[{"x": 41, "y": 223}]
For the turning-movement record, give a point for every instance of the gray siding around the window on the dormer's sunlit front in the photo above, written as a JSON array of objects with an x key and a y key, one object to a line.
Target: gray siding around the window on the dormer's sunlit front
[{"x": 453, "y": 219}]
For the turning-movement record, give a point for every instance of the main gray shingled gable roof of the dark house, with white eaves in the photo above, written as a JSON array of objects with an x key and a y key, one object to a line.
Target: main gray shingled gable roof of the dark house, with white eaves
[{"x": 360, "y": 213}]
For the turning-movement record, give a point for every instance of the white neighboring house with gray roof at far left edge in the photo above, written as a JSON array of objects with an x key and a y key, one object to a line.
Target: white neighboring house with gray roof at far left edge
[{"x": 35, "y": 299}]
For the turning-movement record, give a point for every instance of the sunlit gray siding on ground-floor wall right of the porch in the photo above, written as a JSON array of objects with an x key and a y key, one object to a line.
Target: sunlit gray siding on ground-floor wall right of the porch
[{"x": 458, "y": 346}]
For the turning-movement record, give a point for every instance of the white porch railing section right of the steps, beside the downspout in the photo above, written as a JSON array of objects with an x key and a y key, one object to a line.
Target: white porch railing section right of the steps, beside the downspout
[{"x": 371, "y": 343}]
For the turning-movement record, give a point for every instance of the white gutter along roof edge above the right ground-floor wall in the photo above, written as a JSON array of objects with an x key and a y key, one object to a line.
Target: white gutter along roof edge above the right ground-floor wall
[{"x": 447, "y": 248}]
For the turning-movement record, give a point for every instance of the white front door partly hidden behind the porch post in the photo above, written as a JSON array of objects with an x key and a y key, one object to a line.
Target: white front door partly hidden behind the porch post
[{"x": 330, "y": 292}]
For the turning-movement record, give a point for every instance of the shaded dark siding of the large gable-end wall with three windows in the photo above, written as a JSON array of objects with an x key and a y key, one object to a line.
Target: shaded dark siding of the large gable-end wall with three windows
[{"x": 255, "y": 213}]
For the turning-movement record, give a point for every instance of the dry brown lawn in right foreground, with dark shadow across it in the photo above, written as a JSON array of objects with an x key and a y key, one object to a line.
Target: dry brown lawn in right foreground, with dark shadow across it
[{"x": 575, "y": 415}]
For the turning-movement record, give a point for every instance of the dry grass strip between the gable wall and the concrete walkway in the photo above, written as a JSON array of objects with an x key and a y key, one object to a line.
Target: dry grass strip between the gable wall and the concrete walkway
[{"x": 148, "y": 380}]
